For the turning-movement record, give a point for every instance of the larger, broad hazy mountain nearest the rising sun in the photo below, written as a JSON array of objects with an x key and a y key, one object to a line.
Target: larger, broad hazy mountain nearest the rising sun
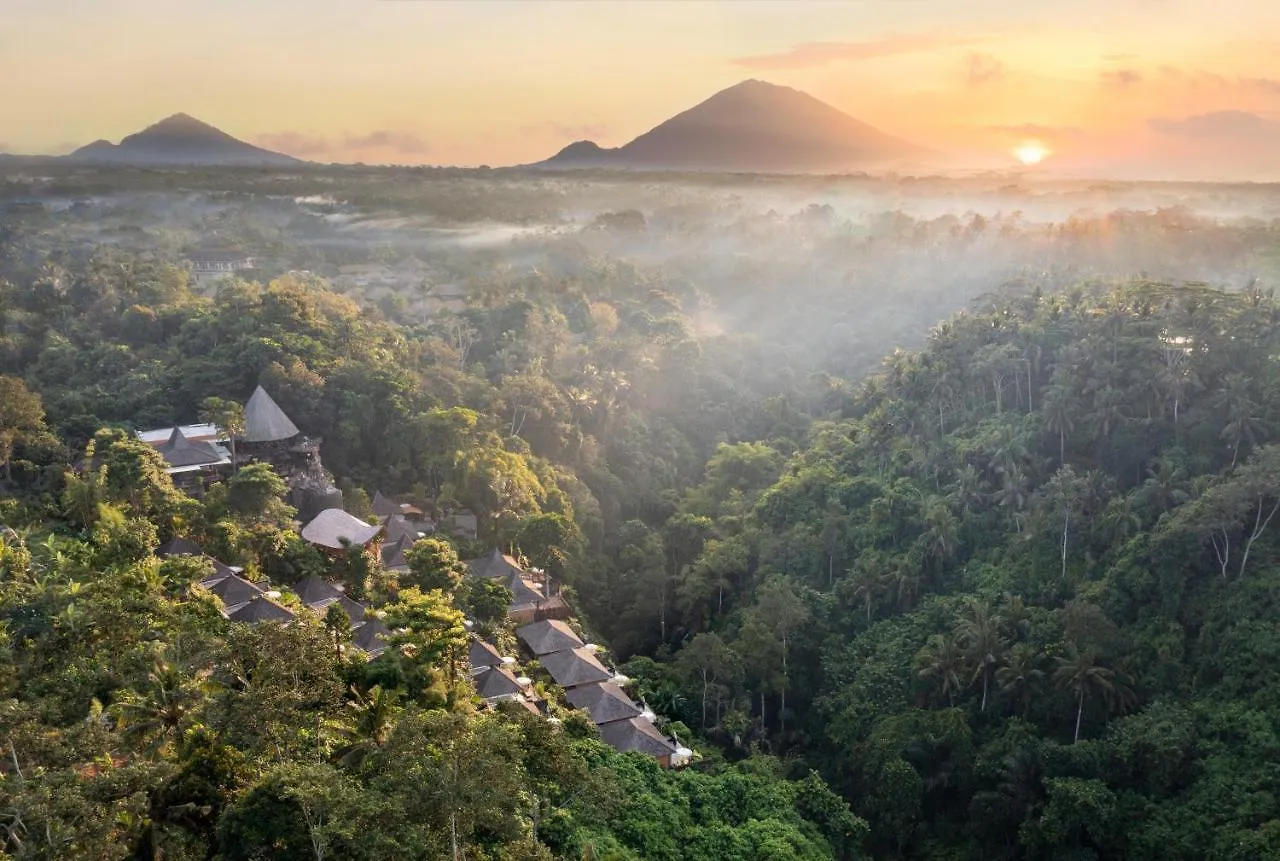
[{"x": 751, "y": 127}]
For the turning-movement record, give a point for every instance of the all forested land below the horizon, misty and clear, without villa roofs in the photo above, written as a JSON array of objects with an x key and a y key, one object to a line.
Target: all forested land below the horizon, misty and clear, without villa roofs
[{"x": 932, "y": 515}]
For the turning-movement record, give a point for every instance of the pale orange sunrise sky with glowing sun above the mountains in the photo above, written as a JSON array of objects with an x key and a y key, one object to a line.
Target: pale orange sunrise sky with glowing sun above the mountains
[{"x": 1156, "y": 86}]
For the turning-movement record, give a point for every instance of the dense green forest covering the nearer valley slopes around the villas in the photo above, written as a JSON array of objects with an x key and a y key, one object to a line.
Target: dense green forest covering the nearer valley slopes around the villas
[{"x": 1009, "y": 597}]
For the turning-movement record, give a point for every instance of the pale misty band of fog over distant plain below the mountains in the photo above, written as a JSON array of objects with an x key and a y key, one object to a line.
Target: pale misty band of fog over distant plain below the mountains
[{"x": 831, "y": 273}]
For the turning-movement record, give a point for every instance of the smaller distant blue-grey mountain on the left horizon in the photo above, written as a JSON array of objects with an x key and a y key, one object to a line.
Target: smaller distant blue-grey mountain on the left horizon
[{"x": 181, "y": 140}]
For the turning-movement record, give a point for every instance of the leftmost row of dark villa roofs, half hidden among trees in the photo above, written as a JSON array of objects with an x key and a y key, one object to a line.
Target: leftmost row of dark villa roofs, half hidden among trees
[{"x": 253, "y": 603}]
